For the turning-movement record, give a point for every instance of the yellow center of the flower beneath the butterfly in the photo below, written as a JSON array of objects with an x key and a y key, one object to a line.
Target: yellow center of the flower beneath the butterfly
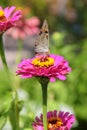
[{"x": 43, "y": 61}]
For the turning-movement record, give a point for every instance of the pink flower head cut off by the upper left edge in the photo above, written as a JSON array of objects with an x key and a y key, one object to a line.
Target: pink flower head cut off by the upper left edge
[{"x": 8, "y": 17}]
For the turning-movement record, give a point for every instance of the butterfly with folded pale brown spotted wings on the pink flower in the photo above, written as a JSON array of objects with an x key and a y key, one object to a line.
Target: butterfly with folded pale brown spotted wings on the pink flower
[{"x": 42, "y": 41}]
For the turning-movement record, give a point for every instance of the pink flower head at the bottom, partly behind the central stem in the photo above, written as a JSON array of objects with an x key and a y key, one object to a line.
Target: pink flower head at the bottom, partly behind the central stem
[{"x": 55, "y": 121}]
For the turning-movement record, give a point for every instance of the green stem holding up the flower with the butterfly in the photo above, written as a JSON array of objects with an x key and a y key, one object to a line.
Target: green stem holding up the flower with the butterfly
[{"x": 44, "y": 98}]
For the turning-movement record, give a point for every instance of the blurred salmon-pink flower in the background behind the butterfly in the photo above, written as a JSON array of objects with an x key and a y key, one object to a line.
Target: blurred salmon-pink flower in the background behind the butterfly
[{"x": 26, "y": 26}]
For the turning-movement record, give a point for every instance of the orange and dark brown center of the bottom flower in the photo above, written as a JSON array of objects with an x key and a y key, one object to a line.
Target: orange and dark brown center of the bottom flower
[{"x": 54, "y": 123}]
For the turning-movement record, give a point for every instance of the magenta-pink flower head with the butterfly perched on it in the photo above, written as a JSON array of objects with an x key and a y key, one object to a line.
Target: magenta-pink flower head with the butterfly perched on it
[{"x": 52, "y": 67}]
